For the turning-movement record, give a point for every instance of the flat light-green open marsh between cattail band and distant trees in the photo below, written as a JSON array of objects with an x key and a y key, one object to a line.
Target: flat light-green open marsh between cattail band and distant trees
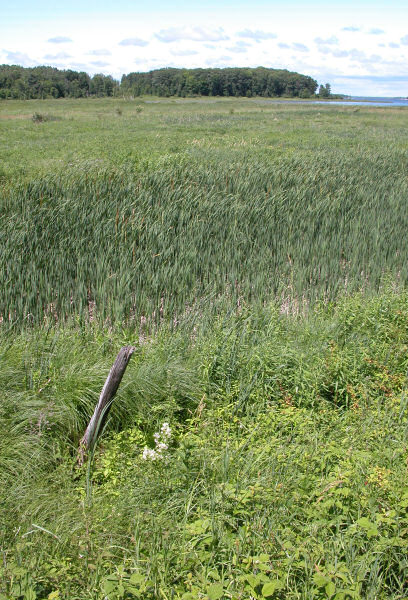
[{"x": 149, "y": 128}]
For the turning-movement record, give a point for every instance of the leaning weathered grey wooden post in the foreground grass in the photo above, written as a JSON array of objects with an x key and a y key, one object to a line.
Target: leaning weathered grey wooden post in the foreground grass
[{"x": 102, "y": 409}]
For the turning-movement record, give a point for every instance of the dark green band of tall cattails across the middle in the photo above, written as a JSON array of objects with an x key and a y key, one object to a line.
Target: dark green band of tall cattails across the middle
[{"x": 129, "y": 245}]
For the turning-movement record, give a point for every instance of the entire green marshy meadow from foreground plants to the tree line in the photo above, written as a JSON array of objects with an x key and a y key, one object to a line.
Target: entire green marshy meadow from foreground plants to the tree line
[{"x": 255, "y": 254}]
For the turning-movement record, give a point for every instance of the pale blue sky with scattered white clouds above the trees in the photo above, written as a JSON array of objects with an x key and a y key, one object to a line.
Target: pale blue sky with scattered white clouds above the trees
[{"x": 360, "y": 47}]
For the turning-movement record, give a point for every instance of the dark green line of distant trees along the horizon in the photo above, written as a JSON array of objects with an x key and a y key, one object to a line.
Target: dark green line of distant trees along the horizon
[{"x": 48, "y": 82}]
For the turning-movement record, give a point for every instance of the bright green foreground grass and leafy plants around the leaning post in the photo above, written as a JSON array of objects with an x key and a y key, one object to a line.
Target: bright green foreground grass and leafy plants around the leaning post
[{"x": 288, "y": 460}]
